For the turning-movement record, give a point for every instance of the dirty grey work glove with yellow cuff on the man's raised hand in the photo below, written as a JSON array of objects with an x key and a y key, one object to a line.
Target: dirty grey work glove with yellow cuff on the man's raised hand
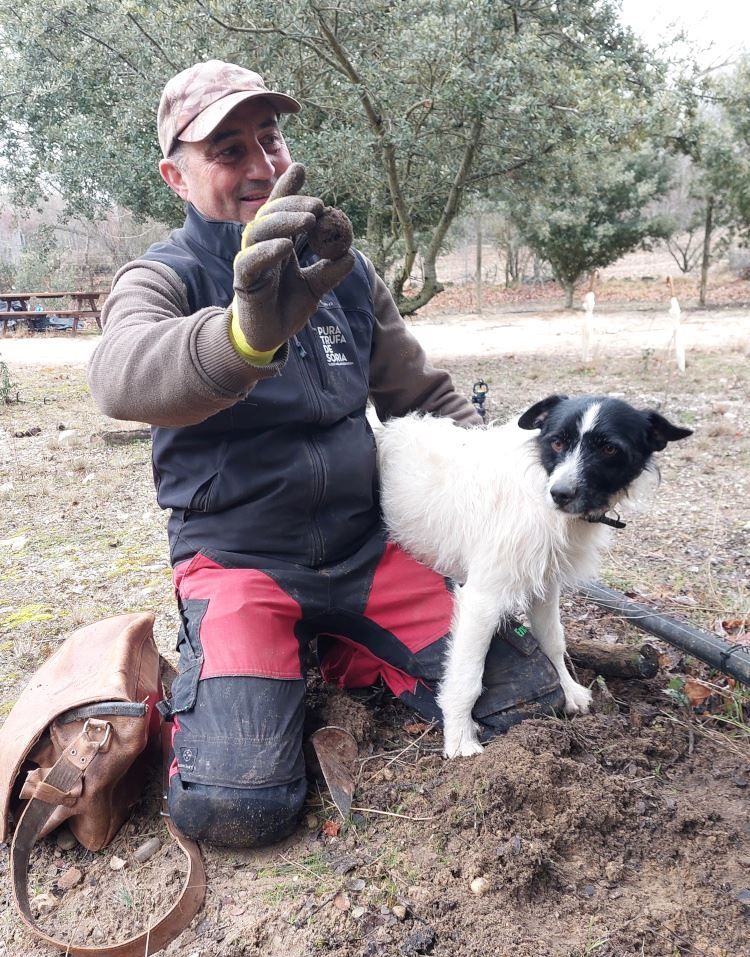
[{"x": 274, "y": 296}]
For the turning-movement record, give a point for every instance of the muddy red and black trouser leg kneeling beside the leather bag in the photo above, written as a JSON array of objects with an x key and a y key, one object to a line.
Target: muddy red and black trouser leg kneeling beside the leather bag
[{"x": 238, "y": 775}]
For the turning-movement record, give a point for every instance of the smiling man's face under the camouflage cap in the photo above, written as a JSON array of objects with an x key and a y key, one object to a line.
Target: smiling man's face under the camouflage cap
[{"x": 230, "y": 174}]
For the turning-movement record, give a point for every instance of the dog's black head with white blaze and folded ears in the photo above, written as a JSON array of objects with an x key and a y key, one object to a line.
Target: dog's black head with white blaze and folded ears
[{"x": 594, "y": 447}]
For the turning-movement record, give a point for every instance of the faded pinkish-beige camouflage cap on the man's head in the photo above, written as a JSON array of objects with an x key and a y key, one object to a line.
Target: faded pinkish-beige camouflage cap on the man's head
[{"x": 195, "y": 101}]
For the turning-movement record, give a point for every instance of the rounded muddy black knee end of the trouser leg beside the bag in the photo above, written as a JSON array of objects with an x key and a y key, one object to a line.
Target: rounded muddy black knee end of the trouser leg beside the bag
[{"x": 236, "y": 817}]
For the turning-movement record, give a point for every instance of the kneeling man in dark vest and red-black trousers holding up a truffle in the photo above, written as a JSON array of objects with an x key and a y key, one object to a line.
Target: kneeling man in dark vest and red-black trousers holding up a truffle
[{"x": 254, "y": 367}]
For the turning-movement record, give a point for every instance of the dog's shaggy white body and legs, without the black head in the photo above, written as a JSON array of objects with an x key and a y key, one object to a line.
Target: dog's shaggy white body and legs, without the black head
[{"x": 474, "y": 505}]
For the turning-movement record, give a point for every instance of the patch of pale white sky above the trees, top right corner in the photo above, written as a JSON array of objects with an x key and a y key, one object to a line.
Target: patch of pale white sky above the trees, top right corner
[{"x": 723, "y": 23}]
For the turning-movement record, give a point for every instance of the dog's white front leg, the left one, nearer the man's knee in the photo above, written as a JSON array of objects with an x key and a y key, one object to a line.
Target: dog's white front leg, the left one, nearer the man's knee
[{"x": 475, "y": 617}]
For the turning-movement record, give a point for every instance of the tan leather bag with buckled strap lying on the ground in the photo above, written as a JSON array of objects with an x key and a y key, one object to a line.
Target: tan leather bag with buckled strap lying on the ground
[{"x": 77, "y": 747}]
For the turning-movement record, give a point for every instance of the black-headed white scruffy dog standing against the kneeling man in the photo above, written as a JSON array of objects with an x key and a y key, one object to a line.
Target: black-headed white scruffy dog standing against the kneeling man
[{"x": 512, "y": 513}]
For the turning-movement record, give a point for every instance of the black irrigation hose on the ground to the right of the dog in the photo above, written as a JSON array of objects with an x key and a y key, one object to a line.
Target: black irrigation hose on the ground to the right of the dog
[{"x": 733, "y": 660}]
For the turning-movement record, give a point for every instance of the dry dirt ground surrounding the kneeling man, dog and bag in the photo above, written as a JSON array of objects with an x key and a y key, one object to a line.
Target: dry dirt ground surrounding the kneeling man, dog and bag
[{"x": 623, "y": 832}]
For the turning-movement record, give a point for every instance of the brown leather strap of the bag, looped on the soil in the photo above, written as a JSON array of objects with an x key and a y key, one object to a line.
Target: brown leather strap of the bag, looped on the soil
[{"x": 65, "y": 775}]
